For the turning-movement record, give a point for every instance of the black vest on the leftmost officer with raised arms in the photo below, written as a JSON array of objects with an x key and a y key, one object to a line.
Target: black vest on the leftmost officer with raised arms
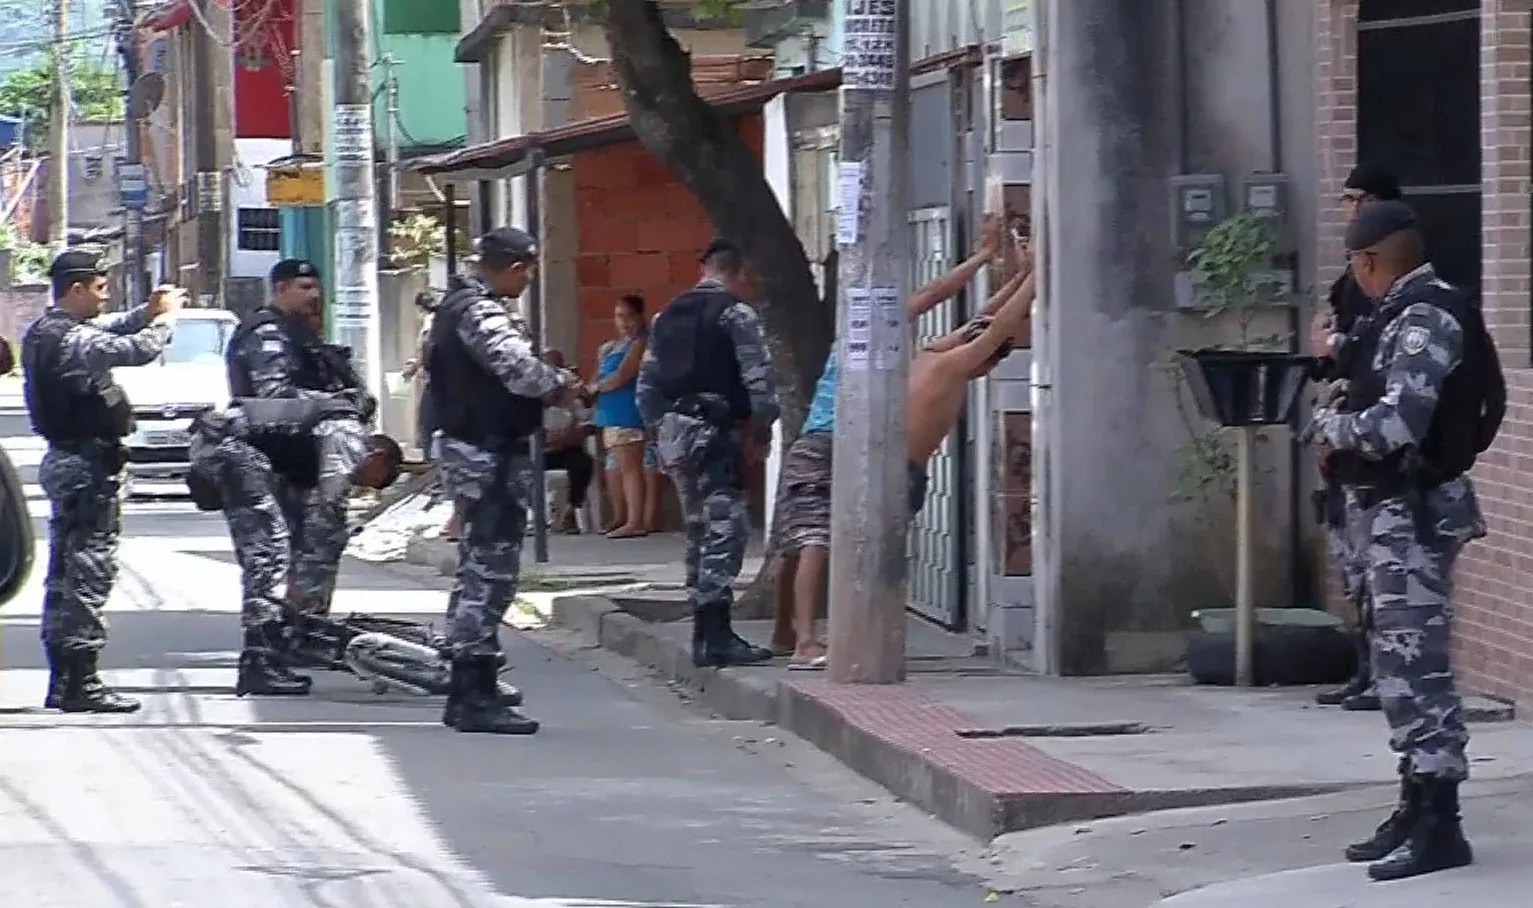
[{"x": 62, "y": 413}]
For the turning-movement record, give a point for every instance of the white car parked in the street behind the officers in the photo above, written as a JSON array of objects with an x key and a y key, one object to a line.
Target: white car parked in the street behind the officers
[{"x": 168, "y": 393}]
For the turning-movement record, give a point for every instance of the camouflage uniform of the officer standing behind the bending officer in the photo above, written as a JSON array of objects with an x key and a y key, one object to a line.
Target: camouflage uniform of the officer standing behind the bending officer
[{"x": 317, "y": 525}]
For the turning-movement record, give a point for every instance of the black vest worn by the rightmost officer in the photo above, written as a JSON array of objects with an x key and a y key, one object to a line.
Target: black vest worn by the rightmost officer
[{"x": 1469, "y": 410}]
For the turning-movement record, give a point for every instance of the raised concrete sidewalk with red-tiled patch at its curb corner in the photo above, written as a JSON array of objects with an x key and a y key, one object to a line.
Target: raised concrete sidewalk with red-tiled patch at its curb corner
[{"x": 993, "y": 751}]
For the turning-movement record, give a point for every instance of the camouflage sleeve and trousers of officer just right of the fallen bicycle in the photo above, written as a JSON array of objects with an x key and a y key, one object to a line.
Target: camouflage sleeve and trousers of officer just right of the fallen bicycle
[{"x": 490, "y": 489}]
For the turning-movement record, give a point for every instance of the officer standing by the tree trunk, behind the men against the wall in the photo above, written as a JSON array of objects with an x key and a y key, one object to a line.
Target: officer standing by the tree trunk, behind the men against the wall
[{"x": 707, "y": 395}]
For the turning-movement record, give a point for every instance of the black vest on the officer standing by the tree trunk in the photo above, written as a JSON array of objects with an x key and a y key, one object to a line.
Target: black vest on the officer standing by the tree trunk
[{"x": 697, "y": 354}]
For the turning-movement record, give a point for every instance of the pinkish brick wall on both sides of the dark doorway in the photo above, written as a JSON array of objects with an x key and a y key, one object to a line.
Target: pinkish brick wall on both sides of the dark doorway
[{"x": 1494, "y": 620}]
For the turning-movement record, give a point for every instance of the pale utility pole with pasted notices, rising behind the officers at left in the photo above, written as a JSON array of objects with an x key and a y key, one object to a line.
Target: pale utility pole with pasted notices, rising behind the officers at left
[{"x": 353, "y": 192}]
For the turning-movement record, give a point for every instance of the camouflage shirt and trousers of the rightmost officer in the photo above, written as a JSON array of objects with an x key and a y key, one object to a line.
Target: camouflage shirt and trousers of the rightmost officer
[{"x": 1411, "y": 581}]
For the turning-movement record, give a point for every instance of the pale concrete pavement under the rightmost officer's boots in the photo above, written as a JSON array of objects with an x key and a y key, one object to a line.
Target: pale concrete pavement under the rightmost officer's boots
[{"x": 1264, "y": 855}]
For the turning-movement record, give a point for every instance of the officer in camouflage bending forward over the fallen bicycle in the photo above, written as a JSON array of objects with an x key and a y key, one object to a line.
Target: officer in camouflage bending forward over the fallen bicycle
[{"x": 237, "y": 461}]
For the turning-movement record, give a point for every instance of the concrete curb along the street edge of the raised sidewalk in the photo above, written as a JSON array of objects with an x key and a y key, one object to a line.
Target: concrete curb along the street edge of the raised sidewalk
[{"x": 907, "y": 769}]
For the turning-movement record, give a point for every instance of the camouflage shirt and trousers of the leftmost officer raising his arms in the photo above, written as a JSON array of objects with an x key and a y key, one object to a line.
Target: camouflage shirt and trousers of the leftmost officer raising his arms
[{"x": 84, "y": 484}]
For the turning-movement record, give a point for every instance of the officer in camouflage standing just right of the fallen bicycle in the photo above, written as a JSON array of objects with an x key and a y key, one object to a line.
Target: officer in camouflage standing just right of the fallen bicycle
[{"x": 488, "y": 390}]
